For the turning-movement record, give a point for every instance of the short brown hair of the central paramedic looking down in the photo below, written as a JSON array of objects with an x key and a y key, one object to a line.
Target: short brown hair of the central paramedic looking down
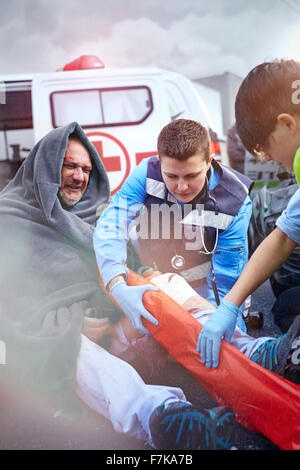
[{"x": 183, "y": 138}]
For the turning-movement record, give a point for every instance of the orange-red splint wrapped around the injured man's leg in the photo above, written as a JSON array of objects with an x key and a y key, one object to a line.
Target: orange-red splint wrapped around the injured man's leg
[{"x": 262, "y": 401}]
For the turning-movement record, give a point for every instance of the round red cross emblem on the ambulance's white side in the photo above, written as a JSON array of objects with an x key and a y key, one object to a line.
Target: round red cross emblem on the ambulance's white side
[{"x": 114, "y": 156}]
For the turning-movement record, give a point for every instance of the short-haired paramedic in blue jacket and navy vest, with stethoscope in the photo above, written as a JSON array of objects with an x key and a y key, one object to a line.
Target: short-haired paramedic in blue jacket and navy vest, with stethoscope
[{"x": 185, "y": 213}]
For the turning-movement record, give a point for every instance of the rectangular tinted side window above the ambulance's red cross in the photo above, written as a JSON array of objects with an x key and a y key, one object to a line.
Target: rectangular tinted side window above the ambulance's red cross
[{"x": 101, "y": 107}]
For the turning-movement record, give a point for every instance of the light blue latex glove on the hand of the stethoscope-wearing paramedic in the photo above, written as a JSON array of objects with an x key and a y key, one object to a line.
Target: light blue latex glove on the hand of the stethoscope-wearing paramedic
[{"x": 130, "y": 299}]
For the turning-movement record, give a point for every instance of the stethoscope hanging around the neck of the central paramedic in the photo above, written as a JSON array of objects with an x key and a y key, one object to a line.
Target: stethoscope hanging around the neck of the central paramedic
[{"x": 178, "y": 261}]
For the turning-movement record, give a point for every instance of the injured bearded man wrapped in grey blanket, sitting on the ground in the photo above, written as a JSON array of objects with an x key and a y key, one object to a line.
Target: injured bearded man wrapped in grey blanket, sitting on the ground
[{"x": 48, "y": 282}]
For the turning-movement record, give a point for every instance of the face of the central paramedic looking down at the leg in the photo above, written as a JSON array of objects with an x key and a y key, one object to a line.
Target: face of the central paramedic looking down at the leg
[{"x": 185, "y": 179}]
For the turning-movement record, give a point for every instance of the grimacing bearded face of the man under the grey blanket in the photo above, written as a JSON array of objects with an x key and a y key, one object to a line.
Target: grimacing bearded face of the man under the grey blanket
[{"x": 75, "y": 172}]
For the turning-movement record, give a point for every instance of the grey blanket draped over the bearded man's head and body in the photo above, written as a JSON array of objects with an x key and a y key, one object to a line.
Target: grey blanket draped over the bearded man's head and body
[{"x": 48, "y": 270}]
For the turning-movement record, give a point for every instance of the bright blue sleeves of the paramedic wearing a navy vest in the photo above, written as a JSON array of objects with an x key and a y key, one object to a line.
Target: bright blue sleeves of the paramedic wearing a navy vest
[{"x": 112, "y": 233}]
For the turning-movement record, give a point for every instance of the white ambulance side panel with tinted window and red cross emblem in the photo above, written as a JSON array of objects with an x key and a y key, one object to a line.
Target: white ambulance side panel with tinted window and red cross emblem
[{"x": 121, "y": 115}]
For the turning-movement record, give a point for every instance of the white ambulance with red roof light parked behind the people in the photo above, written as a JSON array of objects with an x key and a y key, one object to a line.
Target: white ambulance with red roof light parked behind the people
[{"x": 121, "y": 110}]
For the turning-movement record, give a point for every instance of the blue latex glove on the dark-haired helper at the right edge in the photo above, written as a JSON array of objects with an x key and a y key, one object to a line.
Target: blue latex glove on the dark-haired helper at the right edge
[{"x": 221, "y": 324}]
